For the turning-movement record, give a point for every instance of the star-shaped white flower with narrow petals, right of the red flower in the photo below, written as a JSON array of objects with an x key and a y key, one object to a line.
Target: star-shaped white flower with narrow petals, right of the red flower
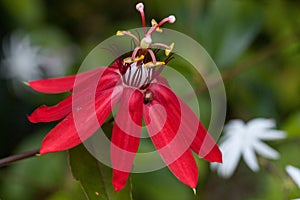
[{"x": 244, "y": 140}]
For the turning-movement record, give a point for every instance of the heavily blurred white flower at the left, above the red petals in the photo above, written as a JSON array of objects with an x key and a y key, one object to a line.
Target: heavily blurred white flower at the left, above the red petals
[{"x": 24, "y": 61}]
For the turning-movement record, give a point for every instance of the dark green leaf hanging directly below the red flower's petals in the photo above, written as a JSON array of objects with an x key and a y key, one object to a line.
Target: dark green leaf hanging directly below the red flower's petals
[{"x": 94, "y": 176}]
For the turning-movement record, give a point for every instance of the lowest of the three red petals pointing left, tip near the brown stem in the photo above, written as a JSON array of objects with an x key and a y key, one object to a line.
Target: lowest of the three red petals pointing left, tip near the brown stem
[{"x": 65, "y": 135}]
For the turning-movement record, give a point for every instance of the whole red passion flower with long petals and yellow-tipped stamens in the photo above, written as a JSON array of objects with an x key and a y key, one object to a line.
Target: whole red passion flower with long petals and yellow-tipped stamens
[{"x": 135, "y": 84}]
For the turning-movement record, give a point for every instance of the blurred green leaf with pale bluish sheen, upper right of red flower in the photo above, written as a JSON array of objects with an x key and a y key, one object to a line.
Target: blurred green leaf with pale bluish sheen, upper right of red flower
[{"x": 228, "y": 32}]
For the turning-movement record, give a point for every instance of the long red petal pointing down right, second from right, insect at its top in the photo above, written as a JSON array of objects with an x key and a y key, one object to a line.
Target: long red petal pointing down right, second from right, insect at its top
[{"x": 163, "y": 119}]
